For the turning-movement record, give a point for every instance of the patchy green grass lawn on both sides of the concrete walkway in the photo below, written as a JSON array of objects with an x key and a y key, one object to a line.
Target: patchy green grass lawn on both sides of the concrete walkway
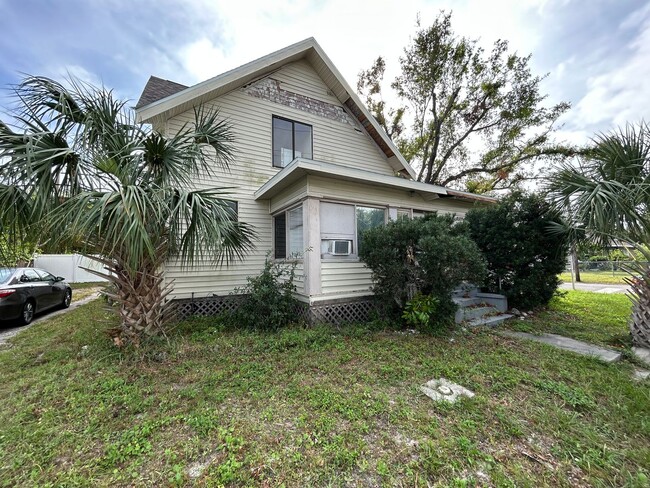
[{"x": 317, "y": 407}]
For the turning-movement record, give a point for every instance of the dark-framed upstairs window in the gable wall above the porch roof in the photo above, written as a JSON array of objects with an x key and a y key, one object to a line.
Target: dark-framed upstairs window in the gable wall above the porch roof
[{"x": 291, "y": 140}]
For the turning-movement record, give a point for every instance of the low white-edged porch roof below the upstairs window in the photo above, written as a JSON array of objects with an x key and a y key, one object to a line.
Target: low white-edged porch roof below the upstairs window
[{"x": 299, "y": 168}]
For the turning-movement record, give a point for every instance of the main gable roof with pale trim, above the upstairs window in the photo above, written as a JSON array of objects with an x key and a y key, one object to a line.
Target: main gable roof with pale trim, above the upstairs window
[{"x": 185, "y": 99}]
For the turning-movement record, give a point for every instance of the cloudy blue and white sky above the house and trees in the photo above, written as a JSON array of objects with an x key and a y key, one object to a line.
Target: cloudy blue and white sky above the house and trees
[{"x": 596, "y": 52}]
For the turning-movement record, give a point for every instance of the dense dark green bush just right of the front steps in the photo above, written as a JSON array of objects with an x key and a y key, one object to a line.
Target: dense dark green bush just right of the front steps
[{"x": 523, "y": 257}]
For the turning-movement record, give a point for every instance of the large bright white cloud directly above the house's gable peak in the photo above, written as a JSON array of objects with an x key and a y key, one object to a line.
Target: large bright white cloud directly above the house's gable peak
[{"x": 352, "y": 33}]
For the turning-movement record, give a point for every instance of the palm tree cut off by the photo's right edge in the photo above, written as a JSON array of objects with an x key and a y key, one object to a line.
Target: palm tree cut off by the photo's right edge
[{"x": 609, "y": 196}]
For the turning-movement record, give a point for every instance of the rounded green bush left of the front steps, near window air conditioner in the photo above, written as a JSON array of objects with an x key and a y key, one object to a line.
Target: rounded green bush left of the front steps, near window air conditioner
[{"x": 430, "y": 256}]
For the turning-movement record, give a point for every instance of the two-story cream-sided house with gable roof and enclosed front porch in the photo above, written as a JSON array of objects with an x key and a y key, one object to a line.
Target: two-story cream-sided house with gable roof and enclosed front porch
[{"x": 313, "y": 168}]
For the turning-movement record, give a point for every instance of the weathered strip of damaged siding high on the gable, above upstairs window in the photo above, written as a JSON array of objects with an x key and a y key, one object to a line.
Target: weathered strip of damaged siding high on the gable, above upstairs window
[{"x": 269, "y": 89}]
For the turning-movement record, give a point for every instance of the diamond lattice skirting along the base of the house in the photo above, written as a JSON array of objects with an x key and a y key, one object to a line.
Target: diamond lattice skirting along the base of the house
[{"x": 335, "y": 312}]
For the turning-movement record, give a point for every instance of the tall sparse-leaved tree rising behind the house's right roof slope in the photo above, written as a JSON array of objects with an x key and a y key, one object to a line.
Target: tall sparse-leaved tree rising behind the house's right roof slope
[{"x": 459, "y": 97}]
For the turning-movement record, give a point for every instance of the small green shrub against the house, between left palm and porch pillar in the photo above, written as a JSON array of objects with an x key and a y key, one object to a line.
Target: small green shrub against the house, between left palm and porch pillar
[{"x": 268, "y": 302}]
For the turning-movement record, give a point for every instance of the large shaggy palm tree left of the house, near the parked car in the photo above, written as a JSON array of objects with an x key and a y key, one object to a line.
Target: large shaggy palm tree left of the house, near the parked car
[{"x": 76, "y": 167}]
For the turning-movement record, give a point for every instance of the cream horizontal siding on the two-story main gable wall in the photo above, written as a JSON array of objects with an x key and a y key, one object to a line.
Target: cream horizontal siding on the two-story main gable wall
[{"x": 251, "y": 119}]
